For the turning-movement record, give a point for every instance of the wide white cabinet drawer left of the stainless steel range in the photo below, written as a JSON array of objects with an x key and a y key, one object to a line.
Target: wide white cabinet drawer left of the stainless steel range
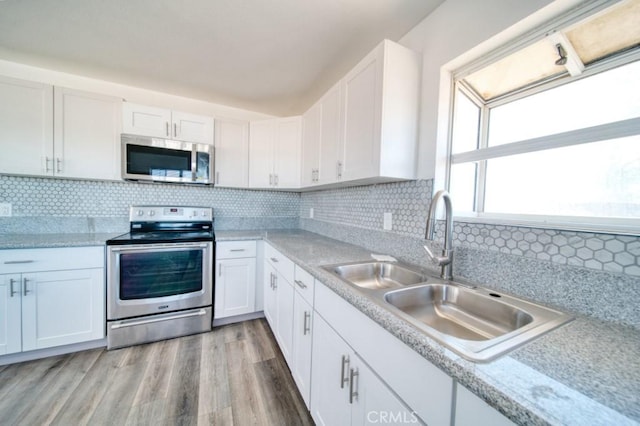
[{"x": 51, "y": 259}]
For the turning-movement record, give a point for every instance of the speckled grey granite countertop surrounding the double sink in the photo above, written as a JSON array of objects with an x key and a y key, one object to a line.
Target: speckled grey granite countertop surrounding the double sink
[{"x": 585, "y": 373}]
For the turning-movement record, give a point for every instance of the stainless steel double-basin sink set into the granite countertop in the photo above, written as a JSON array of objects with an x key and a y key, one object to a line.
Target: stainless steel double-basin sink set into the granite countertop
[{"x": 477, "y": 323}]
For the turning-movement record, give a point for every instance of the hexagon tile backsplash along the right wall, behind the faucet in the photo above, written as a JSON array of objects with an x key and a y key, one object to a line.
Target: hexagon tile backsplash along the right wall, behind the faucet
[{"x": 364, "y": 206}]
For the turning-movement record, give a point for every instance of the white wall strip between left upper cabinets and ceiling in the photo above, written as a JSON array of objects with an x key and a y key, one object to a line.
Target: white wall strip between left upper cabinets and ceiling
[{"x": 131, "y": 94}]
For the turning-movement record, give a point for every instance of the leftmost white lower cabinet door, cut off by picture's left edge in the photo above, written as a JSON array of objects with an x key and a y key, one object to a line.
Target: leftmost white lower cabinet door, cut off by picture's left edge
[{"x": 10, "y": 320}]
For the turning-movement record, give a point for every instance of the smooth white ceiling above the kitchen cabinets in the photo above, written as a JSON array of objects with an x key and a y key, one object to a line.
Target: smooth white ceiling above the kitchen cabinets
[{"x": 272, "y": 56}]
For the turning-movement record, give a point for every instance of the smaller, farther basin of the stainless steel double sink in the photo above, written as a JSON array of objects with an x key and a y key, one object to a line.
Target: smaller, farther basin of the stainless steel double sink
[{"x": 378, "y": 275}]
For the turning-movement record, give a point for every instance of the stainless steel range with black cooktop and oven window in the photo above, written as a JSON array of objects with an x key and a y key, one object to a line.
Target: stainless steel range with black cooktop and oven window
[{"x": 160, "y": 280}]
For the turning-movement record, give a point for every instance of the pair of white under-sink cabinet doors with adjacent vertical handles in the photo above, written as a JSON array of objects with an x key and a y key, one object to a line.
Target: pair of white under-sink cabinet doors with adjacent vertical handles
[{"x": 344, "y": 389}]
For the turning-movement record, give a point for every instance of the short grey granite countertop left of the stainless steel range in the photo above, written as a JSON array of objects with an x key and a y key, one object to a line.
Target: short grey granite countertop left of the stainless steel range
[{"x": 24, "y": 241}]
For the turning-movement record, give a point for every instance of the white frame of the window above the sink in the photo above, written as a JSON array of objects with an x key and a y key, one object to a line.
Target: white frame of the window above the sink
[{"x": 613, "y": 130}]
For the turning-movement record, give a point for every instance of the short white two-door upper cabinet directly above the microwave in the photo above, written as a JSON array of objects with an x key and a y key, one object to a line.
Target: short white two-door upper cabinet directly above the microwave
[{"x": 163, "y": 123}]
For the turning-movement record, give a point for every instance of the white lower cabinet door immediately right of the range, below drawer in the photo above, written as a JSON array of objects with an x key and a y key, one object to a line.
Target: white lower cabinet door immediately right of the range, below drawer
[{"x": 235, "y": 287}]
